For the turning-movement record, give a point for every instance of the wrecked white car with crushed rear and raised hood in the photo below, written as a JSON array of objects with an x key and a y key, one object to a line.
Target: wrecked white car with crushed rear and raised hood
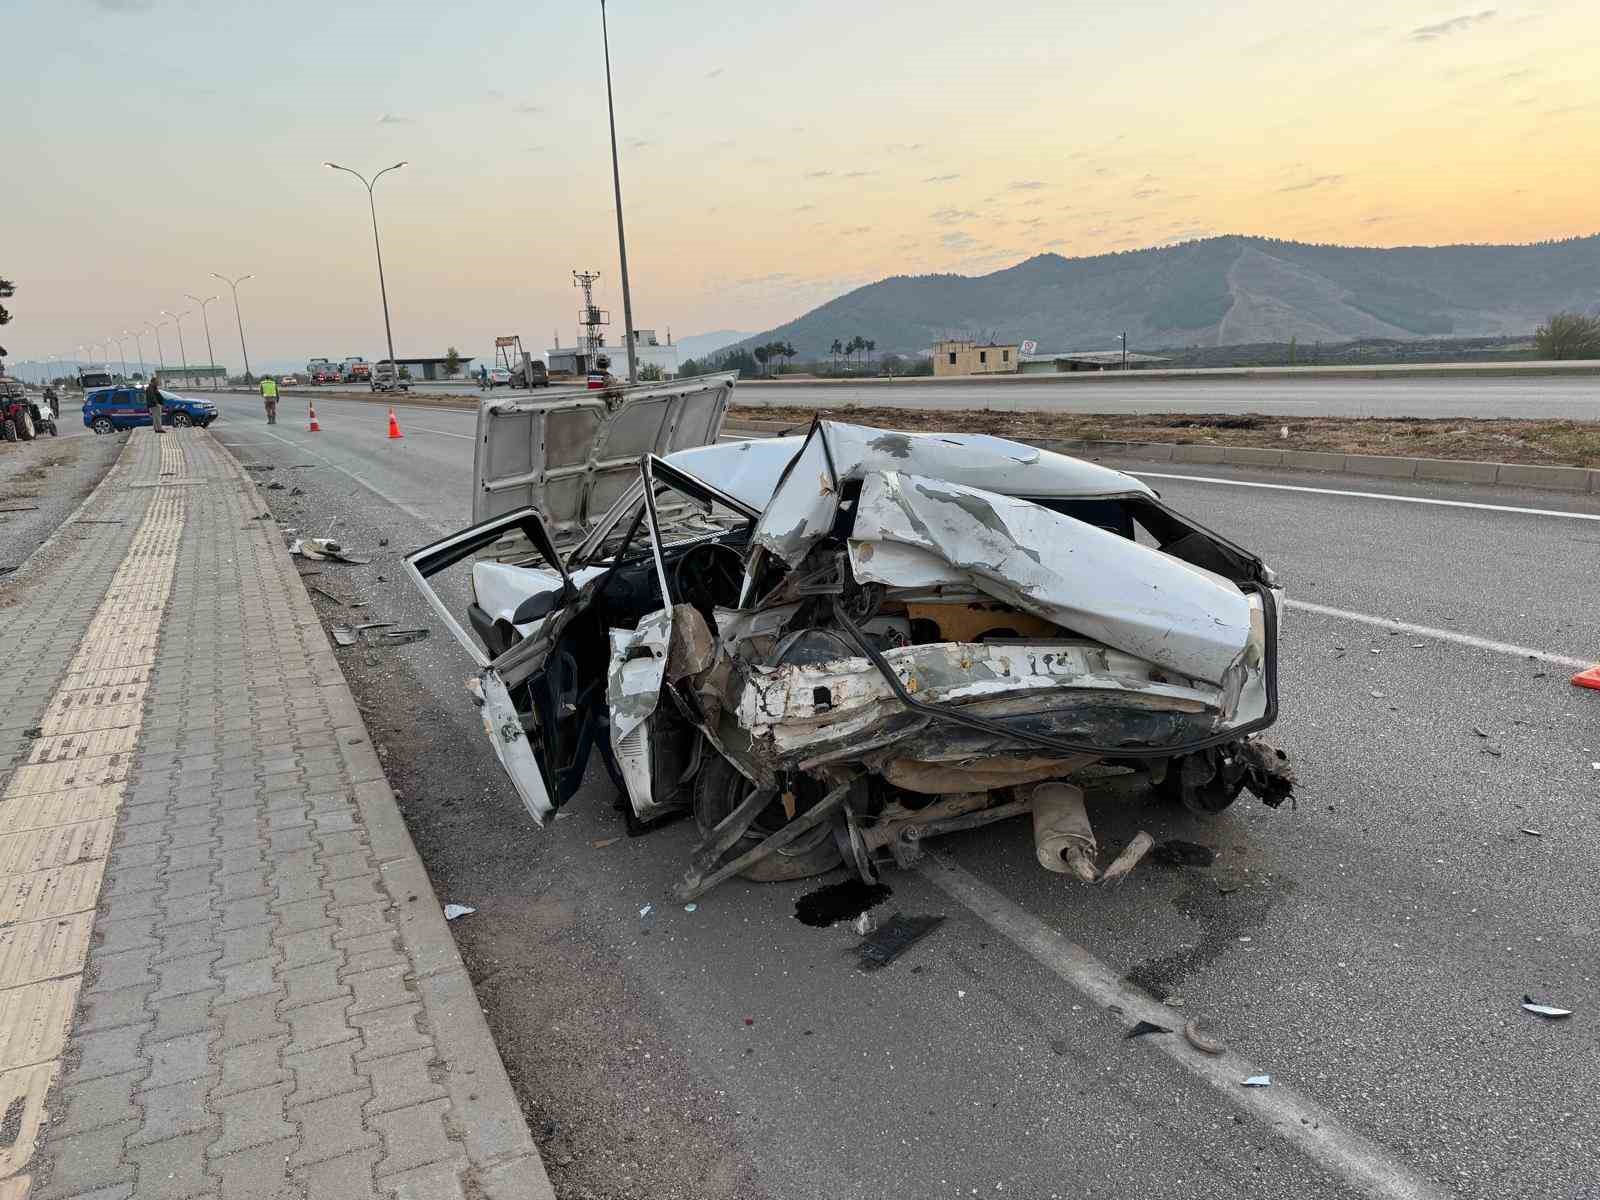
[{"x": 830, "y": 647}]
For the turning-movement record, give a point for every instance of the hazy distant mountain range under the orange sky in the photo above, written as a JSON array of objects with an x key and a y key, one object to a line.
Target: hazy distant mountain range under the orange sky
[{"x": 1218, "y": 292}]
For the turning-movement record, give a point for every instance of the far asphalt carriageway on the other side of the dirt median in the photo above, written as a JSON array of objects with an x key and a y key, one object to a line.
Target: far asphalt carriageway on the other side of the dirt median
[{"x": 1466, "y": 396}]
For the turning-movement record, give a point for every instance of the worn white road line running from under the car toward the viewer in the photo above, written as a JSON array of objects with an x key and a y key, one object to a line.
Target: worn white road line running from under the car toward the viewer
[{"x": 1361, "y": 1162}]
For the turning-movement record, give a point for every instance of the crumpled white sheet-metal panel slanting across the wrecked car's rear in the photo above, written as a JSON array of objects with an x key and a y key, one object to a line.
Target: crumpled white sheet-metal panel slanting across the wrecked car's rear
[{"x": 1078, "y": 575}]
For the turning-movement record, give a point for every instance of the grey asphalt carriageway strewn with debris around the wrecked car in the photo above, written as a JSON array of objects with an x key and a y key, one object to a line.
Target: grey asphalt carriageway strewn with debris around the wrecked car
[{"x": 1367, "y": 948}]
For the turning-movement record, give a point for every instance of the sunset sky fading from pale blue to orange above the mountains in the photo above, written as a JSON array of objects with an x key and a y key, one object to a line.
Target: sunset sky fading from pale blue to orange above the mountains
[{"x": 772, "y": 156}]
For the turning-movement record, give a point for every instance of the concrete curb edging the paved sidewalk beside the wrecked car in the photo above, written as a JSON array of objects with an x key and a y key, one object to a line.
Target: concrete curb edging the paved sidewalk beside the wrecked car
[{"x": 495, "y": 1135}]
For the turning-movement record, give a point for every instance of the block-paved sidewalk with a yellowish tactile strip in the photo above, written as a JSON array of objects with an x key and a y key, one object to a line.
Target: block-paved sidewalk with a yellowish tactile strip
[{"x": 223, "y": 970}]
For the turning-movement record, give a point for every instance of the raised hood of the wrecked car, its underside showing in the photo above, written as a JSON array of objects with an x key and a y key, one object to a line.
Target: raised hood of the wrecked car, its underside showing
[{"x": 570, "y": 458}]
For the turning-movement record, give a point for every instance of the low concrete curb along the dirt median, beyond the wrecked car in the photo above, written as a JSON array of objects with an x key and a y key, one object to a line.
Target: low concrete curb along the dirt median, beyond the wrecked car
[{"x": 1378, "y": 466}]
